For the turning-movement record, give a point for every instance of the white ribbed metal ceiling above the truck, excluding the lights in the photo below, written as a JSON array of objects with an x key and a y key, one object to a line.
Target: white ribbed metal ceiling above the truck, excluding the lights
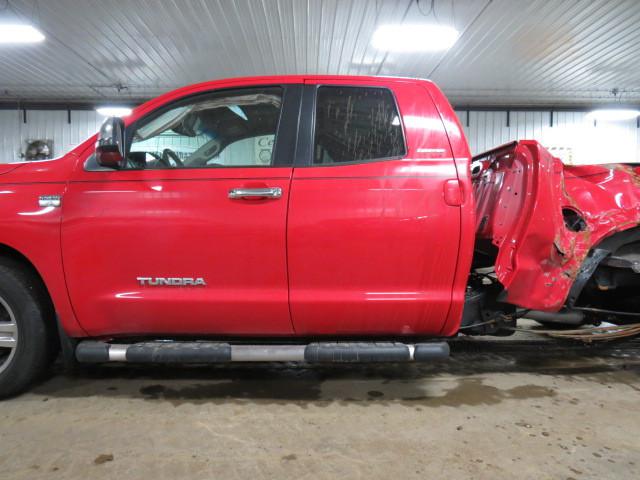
[{"x": 516, "y": 52}]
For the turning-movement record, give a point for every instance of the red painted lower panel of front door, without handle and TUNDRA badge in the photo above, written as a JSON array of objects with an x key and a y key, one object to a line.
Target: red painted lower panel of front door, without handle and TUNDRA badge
[{"x": 177, "y": 223}]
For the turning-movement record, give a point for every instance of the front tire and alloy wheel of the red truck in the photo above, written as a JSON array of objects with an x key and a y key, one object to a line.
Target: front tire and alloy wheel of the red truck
[{"x": 26, "y": 331}]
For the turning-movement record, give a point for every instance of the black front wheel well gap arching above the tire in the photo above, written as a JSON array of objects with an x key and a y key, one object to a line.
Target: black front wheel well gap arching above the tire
[{"x": 15, "y": 260}]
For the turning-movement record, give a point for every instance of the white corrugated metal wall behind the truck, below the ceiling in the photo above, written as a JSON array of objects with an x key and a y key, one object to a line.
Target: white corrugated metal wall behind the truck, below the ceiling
[{"x": 571, "y": 137}]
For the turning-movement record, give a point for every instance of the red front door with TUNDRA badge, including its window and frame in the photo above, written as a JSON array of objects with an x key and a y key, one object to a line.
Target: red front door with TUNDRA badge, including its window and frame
[{"x": 188, "y": 237}]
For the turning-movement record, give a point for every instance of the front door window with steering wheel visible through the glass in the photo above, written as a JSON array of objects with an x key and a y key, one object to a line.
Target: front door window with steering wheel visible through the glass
[{"x": 225, "y": 129}]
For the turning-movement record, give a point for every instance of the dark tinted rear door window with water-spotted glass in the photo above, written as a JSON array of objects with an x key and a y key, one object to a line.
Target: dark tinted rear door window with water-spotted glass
[{"x": 356, "y": 124}]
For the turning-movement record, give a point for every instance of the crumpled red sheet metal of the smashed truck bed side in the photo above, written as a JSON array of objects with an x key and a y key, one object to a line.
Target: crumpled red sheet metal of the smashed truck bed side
[{"x": 520, "y": 198}]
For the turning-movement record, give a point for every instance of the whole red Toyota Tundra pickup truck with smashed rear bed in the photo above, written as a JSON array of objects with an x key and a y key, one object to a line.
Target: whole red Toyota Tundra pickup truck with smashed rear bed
[{"x": 301, "y": 218}]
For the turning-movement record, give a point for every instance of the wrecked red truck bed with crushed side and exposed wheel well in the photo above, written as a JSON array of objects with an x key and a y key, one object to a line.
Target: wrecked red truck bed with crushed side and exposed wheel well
[{"x": 542, "y": 224}]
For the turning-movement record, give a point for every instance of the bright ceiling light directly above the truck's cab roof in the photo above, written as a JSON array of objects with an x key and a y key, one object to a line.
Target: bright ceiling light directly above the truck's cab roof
[{"x": 414, "y": 38}]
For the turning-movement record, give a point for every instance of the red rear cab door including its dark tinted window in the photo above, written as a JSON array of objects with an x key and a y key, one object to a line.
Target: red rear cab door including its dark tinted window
[{"x": 372, "y": 243}]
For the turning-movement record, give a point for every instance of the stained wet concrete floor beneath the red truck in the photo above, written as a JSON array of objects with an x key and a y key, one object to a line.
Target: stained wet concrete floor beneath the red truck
[{"x": 498, "y": 409}]
